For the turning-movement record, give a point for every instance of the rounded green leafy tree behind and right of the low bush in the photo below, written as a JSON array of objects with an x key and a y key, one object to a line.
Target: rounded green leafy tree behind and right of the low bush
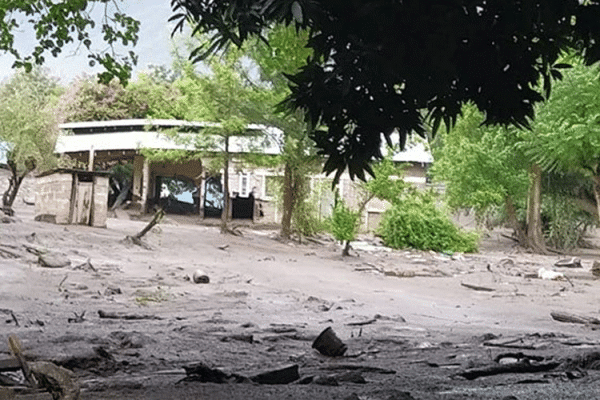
[{"x": 482, "y": 167}]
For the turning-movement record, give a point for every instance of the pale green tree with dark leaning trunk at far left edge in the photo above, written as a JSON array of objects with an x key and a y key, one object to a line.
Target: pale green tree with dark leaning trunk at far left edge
[{"x": 28, "y": 127}]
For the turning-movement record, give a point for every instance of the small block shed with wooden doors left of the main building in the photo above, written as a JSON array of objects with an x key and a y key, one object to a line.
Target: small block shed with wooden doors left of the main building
[{"x": 69, "y": 196}]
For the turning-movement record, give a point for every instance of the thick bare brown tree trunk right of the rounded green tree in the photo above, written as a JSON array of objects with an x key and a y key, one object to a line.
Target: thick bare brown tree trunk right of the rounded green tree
[{"x": 535, "y": 238}]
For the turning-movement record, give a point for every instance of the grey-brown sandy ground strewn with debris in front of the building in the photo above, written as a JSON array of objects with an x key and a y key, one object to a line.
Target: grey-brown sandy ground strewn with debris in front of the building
[{"x": 413, "y": 321}]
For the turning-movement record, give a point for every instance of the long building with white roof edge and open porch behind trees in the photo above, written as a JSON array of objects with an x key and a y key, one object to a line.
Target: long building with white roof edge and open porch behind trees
[{"x": 193, "y": 185}]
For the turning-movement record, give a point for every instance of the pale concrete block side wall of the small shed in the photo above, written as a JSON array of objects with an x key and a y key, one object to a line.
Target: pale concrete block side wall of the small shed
[{"x": 53, "y": 196}]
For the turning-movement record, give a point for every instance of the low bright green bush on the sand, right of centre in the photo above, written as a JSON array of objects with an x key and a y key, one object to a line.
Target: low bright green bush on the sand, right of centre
[{"x": 416, "y": 222}]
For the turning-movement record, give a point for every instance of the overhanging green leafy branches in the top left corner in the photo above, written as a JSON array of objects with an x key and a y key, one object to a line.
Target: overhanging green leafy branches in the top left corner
[{"x": 57, "y": 23}]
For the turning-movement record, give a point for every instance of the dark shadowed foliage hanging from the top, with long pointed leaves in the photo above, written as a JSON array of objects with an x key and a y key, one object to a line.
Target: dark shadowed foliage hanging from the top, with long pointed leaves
[{"x": 377, "y": 64}]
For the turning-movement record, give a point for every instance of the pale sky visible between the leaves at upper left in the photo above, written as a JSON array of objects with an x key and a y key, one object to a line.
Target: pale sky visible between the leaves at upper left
[{"x": 154, "y": 45}]
